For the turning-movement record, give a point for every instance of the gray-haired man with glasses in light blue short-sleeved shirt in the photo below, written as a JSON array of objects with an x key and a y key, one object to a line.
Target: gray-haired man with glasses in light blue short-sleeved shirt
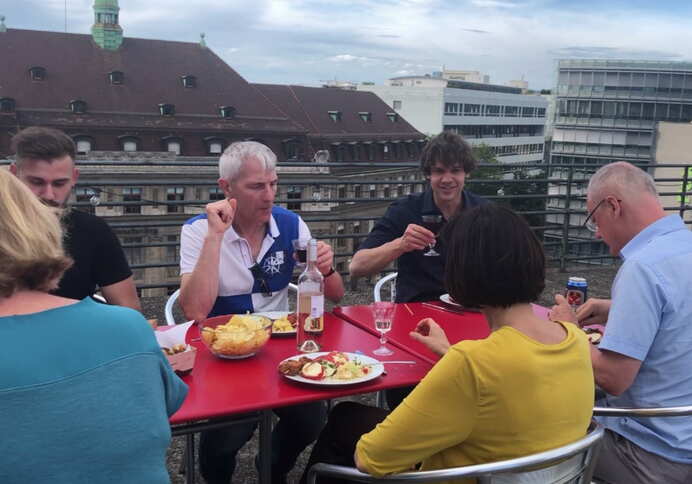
[{"x": 645, "y": 356}]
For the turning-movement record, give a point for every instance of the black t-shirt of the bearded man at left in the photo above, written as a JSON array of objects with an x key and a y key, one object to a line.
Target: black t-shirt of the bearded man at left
[{"x": 98, "y": 258}]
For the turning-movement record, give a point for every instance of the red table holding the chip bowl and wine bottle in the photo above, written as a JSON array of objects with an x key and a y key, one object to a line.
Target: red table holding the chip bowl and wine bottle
[{"x": 219, "y": 389}]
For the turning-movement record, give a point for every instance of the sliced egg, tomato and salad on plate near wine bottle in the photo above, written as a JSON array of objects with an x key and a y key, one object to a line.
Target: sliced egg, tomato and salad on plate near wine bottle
[{"x": 335, "y": 365}]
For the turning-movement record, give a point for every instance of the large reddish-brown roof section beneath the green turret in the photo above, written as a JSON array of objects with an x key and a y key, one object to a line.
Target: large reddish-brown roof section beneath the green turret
[{"x": 76, "y": 68}]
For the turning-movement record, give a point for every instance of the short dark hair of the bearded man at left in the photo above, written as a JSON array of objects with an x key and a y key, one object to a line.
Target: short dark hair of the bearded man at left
[{"x": 38, "y": 143}]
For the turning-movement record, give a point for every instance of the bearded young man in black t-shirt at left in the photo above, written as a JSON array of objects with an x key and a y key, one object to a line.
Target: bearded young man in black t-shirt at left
[{"x": 45, "y": 163}]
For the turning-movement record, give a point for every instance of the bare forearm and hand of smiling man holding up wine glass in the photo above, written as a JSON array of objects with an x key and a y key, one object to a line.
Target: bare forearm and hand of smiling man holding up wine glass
[{"x": 370, "y": 261}]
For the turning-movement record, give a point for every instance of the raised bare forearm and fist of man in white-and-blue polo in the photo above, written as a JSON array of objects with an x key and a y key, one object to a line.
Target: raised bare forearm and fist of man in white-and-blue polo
[{"x": 199, "y": 289}]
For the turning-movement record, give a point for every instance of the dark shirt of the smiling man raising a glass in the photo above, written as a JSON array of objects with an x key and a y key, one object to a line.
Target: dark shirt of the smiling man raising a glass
[{"x": 420, "y": 278}]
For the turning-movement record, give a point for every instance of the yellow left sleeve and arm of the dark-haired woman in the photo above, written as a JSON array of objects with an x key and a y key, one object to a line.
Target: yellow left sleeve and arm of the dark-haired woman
[{"x": 439, "y": 413}]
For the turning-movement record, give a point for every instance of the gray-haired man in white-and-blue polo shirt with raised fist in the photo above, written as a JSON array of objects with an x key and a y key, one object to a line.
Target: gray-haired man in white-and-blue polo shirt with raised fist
[{"x": 238, "y": 257}]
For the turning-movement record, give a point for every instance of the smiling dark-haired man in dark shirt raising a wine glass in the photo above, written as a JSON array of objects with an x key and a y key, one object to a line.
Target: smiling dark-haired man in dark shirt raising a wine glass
[{"x": 399, "y": 235}]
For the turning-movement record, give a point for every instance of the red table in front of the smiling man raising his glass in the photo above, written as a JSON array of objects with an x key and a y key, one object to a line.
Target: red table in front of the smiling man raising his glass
[{"x": 458, "y": 326}]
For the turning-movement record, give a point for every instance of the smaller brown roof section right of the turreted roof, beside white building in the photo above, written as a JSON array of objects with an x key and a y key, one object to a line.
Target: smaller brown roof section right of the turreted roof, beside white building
[{"x": 310, "y": 106}]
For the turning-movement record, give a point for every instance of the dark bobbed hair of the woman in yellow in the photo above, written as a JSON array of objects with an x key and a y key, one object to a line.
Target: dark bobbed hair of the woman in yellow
[{"x": 493, "y": 258}]
